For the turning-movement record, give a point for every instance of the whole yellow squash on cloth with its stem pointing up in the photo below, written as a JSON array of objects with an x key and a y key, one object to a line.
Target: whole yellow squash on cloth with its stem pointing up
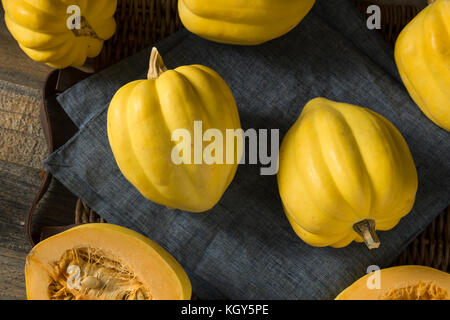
[{"x": 142, "y": 119}]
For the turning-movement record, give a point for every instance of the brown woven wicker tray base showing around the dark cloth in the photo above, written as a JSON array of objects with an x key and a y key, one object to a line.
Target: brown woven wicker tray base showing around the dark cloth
[{"x": 144, "y": 22}]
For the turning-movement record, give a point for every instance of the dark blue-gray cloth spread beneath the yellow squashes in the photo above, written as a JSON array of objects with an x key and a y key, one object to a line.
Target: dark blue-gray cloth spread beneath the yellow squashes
[{"x": 244, "y": 248}]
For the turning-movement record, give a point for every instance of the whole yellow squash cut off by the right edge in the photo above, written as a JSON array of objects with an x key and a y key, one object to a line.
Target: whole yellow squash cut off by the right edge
[{"x": 422, "y": 53}]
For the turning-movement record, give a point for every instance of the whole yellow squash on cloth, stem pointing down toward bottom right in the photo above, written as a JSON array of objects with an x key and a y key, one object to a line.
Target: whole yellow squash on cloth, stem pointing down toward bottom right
[{"x": 345, "y": 171}]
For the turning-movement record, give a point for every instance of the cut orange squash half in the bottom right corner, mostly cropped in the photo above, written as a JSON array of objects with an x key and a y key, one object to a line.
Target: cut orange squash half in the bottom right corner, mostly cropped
[{"x": 400, "y": 283}]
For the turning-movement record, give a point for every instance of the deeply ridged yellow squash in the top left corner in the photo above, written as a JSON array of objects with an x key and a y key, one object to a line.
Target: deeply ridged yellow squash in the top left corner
[{"x": 40, "y": 28}]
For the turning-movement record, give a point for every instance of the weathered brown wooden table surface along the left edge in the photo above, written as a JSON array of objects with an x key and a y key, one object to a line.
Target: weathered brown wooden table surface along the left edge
[{"x": 22, "y": 149}]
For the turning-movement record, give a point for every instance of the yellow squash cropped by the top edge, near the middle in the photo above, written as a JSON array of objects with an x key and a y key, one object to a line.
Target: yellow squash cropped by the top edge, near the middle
[{"x": 242, "y": 22}]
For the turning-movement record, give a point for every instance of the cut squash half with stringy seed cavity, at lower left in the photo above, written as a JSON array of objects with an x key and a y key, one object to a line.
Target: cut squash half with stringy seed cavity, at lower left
[{"x": 103, "y": 262}]
